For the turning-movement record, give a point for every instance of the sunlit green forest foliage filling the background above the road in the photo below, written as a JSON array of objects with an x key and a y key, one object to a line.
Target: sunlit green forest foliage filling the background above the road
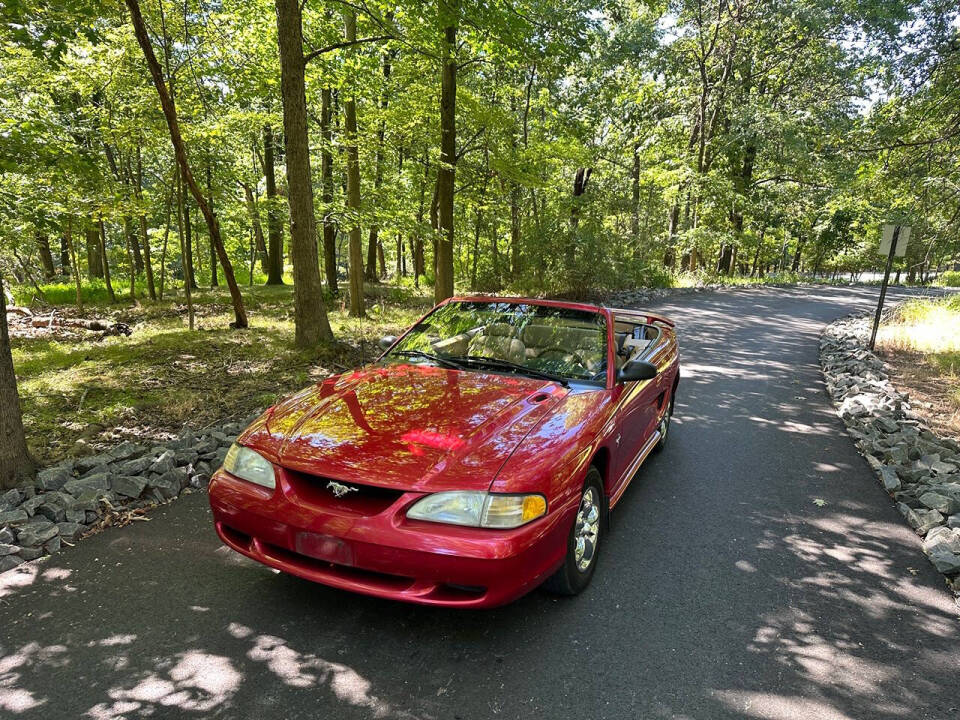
[{"x": 529, "y": 146}]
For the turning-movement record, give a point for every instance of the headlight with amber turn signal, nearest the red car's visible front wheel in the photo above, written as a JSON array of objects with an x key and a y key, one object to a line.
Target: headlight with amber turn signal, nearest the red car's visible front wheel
[{"x": 479, "y": 509}]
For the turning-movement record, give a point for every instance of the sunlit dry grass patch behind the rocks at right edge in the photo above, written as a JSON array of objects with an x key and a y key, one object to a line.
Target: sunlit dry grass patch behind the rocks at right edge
[{"x": 920, "y": 343}]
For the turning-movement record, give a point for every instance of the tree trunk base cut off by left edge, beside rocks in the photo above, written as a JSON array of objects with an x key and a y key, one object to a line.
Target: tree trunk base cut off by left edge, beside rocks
[{"x": 16, "y": 465}]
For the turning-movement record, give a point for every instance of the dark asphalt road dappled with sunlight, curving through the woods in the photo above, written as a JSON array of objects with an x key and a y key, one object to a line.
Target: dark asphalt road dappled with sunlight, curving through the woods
[{"x": 726, "y": 589}]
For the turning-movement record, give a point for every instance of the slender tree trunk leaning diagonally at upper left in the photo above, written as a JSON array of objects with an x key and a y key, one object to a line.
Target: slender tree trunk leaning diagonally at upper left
[{"x": 140, "y": 28}]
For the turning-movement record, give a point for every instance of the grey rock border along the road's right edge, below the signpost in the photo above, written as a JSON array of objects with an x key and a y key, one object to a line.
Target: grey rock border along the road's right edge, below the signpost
[{"x": 918, "y": 469}]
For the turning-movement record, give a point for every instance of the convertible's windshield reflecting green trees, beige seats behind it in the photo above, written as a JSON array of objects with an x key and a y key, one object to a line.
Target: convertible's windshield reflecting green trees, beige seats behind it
[{"x": 568, "y": 344}]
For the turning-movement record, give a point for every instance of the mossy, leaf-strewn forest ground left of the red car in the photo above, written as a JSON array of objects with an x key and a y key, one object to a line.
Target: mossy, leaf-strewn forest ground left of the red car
[{"x": 83, "y": 391}]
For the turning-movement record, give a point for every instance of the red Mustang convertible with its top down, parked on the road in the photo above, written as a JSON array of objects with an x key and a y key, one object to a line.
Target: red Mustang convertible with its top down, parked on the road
[{"x": 477, "y": 458}]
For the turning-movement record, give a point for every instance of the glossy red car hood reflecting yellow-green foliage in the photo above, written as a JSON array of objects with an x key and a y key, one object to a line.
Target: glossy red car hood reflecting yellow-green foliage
[{"x": 407, "y": 427}]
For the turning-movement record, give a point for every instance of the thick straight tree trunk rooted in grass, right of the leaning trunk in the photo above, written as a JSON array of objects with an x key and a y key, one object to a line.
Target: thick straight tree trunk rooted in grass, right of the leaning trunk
[{"x": 310, "y": 315}]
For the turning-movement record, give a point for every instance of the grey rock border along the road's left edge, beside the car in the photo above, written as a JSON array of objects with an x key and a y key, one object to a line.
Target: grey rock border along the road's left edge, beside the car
[{"x": 68, "y": 500}]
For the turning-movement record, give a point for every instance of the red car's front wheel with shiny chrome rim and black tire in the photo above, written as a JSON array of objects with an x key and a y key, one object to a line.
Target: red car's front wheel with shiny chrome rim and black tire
[{"x": 572, "y": 577}]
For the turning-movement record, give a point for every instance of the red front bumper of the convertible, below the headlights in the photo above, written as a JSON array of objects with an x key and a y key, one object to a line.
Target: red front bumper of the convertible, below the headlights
[{"x": 382, "y": 553}]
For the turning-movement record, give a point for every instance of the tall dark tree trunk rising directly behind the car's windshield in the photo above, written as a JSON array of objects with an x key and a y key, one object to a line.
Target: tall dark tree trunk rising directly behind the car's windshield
[{"x": 443, "y": 283}]
